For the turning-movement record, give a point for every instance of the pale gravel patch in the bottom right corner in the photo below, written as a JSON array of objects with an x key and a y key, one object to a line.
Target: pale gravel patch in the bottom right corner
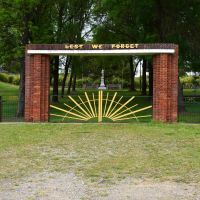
[{"x": 149, "y": 190}]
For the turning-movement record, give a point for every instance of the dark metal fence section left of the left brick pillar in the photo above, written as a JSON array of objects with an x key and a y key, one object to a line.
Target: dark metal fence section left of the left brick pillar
[{"x": 8, "y": 109}]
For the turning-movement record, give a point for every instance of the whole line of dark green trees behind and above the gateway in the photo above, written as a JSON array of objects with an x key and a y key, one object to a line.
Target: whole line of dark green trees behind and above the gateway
[{"x": 97, "y": 21}]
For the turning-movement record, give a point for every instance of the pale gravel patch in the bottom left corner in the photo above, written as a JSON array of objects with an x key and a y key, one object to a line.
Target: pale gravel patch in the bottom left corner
[{"x": 44, "y": 186}]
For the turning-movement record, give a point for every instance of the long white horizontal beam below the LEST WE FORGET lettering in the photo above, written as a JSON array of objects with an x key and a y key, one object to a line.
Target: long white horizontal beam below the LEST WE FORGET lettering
[{"x": 103, "y": 52}]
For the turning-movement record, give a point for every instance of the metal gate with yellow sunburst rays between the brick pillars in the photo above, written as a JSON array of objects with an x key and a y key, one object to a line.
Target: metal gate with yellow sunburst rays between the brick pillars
[{"x": 101, "y": 106}]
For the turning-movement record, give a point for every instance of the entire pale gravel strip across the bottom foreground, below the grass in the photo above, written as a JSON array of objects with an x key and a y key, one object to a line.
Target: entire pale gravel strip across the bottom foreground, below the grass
[{"x": 68, "y": 186}]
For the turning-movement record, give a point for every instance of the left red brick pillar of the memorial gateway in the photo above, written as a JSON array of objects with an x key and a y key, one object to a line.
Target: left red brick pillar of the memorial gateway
[{"x": 37, "y": 83}]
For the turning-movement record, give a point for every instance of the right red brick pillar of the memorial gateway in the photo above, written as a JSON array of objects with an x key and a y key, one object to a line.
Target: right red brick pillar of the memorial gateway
[{"x": 165, "y": 87}]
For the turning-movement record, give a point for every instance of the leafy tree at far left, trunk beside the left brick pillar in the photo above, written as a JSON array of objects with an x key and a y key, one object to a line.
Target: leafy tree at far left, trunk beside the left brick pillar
[{"x": 18, "y": 18}]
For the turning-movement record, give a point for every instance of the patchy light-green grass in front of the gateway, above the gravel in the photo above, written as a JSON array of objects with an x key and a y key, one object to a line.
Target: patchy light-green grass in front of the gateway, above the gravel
[{"x": 102, "y": 151}]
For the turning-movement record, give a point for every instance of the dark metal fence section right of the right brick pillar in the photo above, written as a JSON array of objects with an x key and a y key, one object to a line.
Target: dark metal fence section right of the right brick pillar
[{"x": 191, "y": 110}]
